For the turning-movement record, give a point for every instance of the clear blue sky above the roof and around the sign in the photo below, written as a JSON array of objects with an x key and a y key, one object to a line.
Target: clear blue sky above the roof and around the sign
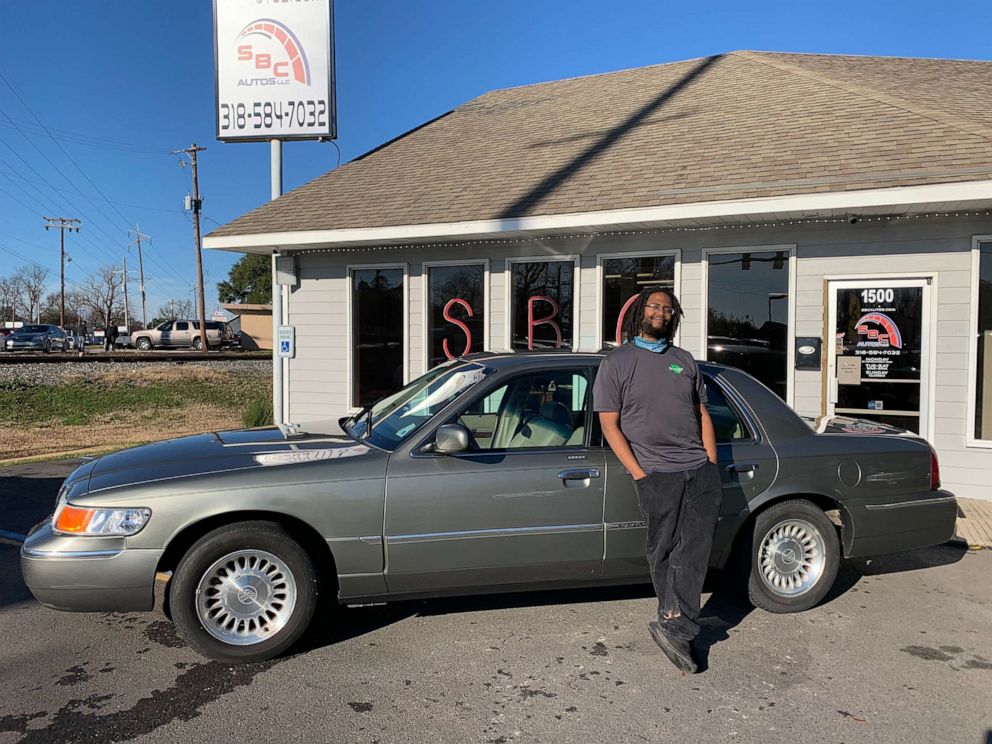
[{"x": 121, "y": 82}]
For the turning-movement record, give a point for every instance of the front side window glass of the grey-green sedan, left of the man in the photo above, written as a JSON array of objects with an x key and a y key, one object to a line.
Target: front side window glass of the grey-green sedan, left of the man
[{"x": 537, "y": 409}]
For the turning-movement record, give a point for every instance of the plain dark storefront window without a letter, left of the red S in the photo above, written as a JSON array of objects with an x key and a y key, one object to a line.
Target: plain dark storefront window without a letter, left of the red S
[{"x": 377, "y": 318}]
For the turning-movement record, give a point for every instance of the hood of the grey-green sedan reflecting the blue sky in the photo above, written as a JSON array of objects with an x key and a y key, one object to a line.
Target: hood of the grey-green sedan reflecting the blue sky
[{"x": 218, "y": 452}]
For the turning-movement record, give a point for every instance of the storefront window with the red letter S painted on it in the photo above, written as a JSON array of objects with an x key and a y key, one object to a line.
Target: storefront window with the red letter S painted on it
[{"x": 456, "y": 296}]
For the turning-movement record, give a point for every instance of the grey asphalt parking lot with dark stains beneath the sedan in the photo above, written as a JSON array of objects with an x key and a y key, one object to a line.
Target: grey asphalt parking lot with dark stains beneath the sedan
[{"x": 900, "y": 652}]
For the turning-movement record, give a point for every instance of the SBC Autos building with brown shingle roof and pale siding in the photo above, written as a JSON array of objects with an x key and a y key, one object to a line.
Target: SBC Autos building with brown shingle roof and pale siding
[{"x": 825, "y": 221}]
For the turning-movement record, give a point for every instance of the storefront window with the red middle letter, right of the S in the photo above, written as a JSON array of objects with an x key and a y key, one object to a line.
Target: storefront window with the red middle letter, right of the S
[{"x": 541, "y": 304}]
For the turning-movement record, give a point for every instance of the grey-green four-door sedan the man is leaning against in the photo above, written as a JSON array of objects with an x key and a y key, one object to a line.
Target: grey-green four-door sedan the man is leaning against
[{"x": 498, "y": 479}]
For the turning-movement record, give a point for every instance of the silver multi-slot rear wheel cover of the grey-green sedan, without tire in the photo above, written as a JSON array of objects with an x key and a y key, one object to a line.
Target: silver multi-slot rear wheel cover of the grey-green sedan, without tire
[{"x": 791, "y": 558}]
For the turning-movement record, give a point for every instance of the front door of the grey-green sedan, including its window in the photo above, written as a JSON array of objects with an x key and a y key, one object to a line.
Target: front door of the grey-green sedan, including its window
[{"x": 523, "y": 504}]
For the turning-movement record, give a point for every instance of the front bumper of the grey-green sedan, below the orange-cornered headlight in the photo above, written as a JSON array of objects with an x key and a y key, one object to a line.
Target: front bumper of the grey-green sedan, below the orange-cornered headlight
[{"x": 88, "y": 574}]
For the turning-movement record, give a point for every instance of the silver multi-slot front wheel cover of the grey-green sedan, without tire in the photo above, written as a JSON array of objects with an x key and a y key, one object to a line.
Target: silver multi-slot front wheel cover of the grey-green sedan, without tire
[{"x": 246, "y": 597}]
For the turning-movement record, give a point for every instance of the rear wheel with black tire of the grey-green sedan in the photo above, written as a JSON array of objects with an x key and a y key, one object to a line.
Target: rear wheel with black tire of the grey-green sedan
[{"x": 794, "y": 556}]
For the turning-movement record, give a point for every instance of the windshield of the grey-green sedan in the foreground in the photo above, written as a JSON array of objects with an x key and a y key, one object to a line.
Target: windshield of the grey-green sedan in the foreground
[{"x": 399, "y": 415}]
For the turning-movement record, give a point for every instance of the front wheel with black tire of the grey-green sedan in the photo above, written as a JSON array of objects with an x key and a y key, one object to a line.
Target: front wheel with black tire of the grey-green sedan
[{"x": 244, "y": 593}]
